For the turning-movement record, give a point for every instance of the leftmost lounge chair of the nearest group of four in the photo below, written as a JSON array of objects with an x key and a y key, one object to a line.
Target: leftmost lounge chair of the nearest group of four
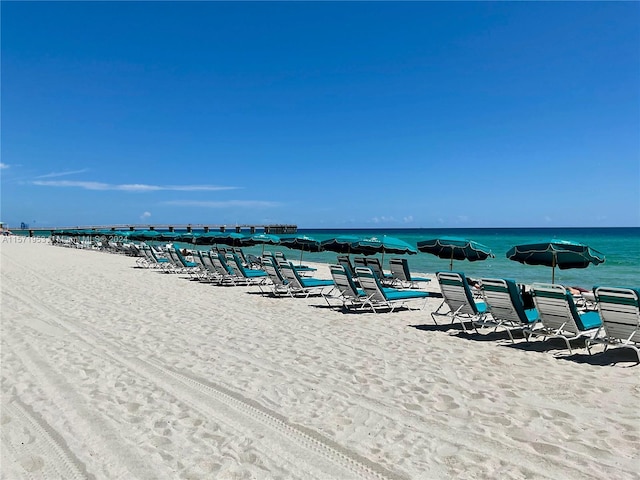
[{"x": 458, "y": 300}]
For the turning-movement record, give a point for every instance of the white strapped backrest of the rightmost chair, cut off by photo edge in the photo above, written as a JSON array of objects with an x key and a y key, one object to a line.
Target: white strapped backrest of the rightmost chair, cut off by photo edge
[{"x": 620, "y": 312}]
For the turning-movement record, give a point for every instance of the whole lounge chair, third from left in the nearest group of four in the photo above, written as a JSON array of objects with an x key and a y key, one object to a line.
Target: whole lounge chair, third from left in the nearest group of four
[{"x": 559, "y": 316}]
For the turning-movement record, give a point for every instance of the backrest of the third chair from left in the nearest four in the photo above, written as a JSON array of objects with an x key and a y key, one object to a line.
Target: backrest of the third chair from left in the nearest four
[{"x": 556, "y": 307}]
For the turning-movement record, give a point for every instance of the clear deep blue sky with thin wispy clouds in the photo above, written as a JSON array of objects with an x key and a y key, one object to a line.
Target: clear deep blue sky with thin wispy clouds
[{"x": 324, "y": 115}]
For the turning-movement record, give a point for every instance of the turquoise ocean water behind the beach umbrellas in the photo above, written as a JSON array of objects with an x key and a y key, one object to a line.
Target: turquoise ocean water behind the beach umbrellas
[{"x": 621, "y": 246}]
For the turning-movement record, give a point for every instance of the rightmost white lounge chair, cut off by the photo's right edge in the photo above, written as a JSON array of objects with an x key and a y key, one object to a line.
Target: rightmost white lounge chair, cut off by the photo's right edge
[{"x": 620, "y": 314}]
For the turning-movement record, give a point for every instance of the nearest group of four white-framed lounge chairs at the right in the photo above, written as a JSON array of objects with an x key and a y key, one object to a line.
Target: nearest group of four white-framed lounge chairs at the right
[{"x": 613, "y": 321}]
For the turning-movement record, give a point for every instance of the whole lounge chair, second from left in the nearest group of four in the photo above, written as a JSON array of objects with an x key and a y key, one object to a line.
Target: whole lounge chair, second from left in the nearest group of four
[{"x": 505, "y": 306}]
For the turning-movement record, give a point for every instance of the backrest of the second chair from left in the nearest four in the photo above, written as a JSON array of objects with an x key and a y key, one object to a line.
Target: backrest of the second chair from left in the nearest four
[{"x": 503, "y": 298}]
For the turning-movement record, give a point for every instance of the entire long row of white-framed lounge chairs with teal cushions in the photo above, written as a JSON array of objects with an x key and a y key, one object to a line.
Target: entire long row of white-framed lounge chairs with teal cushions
[{"x": 614, "y": 320}]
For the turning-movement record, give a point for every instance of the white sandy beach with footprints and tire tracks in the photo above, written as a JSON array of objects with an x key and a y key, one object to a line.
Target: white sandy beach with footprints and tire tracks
[{"x": 116, "y": 372}]
